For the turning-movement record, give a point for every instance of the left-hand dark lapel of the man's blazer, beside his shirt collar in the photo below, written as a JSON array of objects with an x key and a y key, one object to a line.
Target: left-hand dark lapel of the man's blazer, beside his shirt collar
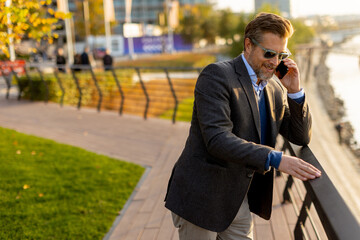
[{"x": 245, "y": 81}]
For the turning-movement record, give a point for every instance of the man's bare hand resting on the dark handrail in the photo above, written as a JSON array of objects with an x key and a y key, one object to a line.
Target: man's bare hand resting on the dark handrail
[{"x": 298, "y": 168}]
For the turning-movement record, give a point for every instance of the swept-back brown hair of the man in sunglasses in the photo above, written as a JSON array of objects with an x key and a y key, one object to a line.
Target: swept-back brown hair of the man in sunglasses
[{"x": 268, "y": 23}]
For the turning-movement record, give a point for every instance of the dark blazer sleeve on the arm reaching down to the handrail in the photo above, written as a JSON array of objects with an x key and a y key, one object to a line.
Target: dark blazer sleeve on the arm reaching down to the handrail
[{"x": 212, "y": 102}]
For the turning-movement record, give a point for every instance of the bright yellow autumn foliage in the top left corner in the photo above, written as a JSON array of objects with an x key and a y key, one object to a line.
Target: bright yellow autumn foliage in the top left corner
[{"x": 27, "y": 18}]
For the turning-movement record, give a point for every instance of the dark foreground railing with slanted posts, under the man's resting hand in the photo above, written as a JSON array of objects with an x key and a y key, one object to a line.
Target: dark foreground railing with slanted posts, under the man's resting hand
[{"x": 335, "y": 217}]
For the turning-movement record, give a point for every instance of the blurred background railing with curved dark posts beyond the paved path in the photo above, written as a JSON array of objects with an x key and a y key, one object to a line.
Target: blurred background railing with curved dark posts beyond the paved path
[{"x": 149, "y": 98}]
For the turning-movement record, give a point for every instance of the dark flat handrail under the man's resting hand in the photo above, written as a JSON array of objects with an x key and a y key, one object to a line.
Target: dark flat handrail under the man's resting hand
[{"x": 337, "y": 219}]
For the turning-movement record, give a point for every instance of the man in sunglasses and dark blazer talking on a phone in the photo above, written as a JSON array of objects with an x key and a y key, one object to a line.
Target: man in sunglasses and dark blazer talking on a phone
[{"x": 226, "y": 168}]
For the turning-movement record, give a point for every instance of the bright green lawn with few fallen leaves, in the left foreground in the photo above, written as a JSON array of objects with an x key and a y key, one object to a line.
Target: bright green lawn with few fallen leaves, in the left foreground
[{"x": 55, "y": 191}]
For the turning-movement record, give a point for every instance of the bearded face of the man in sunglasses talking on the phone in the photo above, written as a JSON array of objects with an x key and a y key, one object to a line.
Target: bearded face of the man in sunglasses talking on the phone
[{"x": 254, "y": 54}]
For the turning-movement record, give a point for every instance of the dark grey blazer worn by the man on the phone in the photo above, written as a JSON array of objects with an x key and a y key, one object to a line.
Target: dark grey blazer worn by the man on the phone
[{"x": 222, "y": 160}]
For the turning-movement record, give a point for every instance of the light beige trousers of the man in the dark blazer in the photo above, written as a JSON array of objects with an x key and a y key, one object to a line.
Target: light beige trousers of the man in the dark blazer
[{"x": 240, "y": 229}]
